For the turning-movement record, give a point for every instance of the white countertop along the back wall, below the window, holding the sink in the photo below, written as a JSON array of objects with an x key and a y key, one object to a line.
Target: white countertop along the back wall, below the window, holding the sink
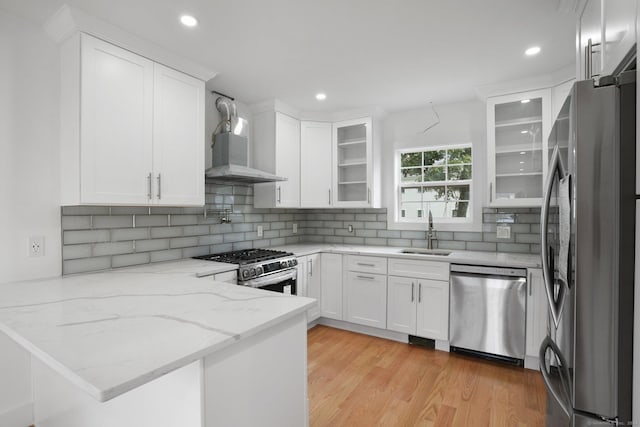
[{"x": 500, "y": 259}]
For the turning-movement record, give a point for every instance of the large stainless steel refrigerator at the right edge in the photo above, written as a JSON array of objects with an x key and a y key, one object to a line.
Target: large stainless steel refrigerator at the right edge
[{"x": 588, "y": 227}]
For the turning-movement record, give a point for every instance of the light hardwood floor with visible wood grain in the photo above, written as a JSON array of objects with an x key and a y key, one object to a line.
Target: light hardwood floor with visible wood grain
[{"x": 358, "y": 380}]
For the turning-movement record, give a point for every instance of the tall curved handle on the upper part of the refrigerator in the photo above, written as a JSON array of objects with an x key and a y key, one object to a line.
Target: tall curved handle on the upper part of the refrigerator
[{"x": 555, "y": 297}]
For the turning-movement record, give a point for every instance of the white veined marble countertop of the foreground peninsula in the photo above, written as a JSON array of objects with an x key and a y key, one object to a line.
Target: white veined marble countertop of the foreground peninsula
[{"x": 111, "y": 332}]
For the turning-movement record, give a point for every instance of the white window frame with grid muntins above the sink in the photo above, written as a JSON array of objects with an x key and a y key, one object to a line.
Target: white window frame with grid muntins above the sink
[{"x": 398, "y": 185}]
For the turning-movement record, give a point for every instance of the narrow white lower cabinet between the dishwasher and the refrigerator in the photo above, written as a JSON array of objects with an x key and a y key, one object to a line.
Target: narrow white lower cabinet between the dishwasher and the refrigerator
[{"x": 537, "y": 316}]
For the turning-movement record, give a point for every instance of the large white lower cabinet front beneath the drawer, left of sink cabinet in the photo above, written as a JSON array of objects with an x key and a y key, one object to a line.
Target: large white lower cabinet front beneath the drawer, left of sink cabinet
[{"x": 366, "y": 299}]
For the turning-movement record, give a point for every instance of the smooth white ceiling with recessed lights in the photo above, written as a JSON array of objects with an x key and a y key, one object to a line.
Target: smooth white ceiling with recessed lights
[{"x": 391, "y": 54}]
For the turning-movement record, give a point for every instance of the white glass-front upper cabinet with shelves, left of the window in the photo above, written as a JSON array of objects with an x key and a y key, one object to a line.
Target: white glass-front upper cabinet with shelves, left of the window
[{"x": 353, "y": 163}]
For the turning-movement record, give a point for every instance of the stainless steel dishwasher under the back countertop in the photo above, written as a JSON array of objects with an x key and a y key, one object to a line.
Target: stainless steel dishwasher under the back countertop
[{"x": 487, "y": 311}]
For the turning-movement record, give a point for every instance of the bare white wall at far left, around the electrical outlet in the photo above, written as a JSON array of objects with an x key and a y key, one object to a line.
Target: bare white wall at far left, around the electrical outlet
[{"x": 29, "y": 184}]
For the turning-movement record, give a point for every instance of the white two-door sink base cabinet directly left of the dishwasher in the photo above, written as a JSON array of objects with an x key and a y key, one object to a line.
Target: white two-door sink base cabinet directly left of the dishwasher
[{"x": 416, "y": 303}]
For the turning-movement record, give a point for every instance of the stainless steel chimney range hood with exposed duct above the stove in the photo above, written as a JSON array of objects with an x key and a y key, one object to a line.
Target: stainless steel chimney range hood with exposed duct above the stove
[{"x": 230, "y": 149}]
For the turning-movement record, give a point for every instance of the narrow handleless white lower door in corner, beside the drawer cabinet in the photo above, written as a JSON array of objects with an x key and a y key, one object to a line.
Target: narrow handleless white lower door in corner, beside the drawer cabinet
[{"x": 331, "y": 289}]
